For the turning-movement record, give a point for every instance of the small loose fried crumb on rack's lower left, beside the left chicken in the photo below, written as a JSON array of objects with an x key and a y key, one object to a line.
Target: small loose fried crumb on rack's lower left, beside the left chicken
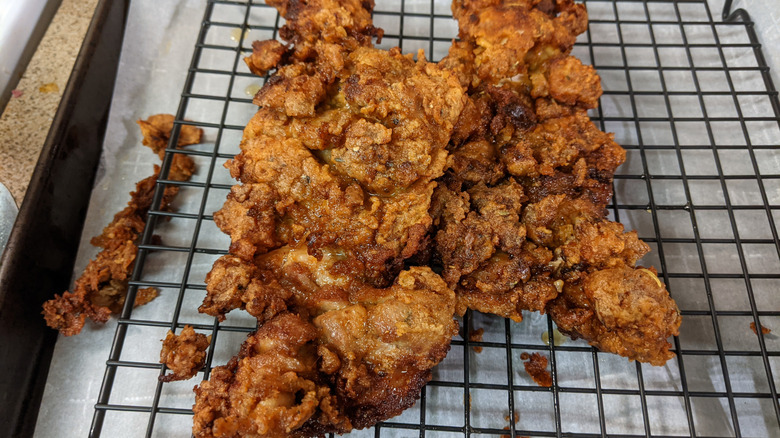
[{"x": 184, "y": 354}]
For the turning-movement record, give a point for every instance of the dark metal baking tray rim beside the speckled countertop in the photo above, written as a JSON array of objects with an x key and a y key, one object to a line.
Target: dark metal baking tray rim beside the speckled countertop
[{"x": 41, "y": 249}]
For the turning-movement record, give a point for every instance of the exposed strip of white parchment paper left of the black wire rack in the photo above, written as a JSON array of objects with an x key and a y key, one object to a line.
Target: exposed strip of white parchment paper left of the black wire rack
[{"x": 155, "y": 56}]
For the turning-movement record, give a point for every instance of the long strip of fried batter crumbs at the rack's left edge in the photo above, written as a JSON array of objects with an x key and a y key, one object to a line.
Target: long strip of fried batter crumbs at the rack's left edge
[{"x": 102, "y": 287}]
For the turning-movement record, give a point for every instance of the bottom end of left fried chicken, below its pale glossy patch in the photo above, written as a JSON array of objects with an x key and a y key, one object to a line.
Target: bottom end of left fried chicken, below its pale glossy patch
[{"x": 344, "y": 359}]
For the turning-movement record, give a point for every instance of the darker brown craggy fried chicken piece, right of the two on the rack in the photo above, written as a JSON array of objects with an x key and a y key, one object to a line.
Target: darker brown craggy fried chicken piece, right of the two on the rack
[{"x": 521, "y": 214}]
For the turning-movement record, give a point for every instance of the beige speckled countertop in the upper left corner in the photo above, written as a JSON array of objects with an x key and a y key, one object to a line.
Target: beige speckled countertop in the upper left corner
[{"x": 26, "y": 119}]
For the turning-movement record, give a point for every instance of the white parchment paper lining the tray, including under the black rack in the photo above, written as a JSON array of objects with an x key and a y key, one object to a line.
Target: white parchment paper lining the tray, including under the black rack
[{"x": 154, "y": 64}]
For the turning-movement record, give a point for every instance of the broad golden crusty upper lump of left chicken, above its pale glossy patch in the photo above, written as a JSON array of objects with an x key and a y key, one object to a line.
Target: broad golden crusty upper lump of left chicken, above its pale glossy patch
[{"x": 345, "y": 164}]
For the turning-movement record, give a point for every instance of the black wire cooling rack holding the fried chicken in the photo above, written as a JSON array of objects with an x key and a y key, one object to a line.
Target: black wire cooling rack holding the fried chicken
[{"x": 689, "y": 97}]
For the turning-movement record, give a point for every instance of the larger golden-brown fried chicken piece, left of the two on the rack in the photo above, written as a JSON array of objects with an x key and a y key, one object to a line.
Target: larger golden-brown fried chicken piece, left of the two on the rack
[{"x": 336, "y": 175}]
